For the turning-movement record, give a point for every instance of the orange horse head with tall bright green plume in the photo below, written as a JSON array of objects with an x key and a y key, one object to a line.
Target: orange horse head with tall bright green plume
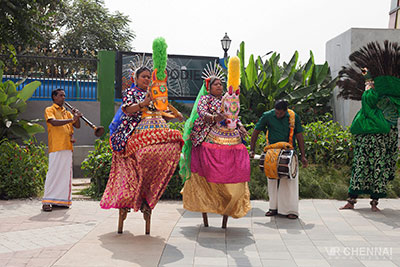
[{"x": 158, "y": 88}]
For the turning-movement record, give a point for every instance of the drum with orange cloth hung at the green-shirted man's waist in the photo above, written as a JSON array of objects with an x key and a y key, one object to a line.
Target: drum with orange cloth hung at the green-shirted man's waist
[{"x": 279, "y": 163}]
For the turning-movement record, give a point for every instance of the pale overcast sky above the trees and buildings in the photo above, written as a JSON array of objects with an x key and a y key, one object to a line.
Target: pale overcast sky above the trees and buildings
[{"x": 283, "y": 26}]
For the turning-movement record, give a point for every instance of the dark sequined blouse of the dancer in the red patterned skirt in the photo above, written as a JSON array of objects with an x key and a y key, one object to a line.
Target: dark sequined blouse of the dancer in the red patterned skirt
[{"x": 129, "y": 121}]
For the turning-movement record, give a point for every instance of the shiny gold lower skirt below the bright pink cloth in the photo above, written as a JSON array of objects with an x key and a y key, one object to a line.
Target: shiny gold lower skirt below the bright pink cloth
[{"x": 225, "y": 199}]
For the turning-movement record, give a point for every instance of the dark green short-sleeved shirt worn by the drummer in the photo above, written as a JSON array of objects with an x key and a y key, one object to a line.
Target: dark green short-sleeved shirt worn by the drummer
[{"x": 278, "y": 129}]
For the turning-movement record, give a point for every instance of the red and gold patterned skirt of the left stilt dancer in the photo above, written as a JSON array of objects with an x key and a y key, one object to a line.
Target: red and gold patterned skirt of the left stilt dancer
[{"x": 143, "y": 170}]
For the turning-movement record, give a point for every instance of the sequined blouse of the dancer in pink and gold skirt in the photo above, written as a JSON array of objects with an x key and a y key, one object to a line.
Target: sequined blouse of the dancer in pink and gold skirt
[{"x": 208, "y": 105}]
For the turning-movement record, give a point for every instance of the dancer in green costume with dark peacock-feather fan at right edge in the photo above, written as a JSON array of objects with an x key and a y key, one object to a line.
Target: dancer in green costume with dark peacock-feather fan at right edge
[{"x": 375, "y": 125}]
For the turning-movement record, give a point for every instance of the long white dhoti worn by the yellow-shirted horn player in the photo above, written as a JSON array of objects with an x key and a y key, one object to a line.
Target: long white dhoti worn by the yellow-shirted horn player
[{"x": 57, "y": 188}]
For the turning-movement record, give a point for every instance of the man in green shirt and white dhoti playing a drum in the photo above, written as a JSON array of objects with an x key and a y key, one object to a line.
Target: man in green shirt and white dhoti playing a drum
[{"x": 283, "y": 193}]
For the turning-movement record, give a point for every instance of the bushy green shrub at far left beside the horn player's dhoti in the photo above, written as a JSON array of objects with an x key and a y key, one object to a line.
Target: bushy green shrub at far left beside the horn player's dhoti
[{"x": 22, "y": 169}]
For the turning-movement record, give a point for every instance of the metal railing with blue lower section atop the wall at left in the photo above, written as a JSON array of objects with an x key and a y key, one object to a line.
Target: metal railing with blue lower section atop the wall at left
[{"x": 76, "y": 75}]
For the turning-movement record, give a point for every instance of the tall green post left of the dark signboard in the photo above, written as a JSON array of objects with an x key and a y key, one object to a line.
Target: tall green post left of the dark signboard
[{"x": 106, "y": 79}]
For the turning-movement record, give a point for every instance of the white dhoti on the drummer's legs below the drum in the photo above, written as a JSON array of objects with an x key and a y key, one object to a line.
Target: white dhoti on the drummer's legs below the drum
[{"x": 284, "y": 195}]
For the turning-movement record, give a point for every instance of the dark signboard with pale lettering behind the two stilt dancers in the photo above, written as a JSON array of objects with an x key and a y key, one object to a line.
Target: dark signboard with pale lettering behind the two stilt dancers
[{"x": 184, "y": 72}]
